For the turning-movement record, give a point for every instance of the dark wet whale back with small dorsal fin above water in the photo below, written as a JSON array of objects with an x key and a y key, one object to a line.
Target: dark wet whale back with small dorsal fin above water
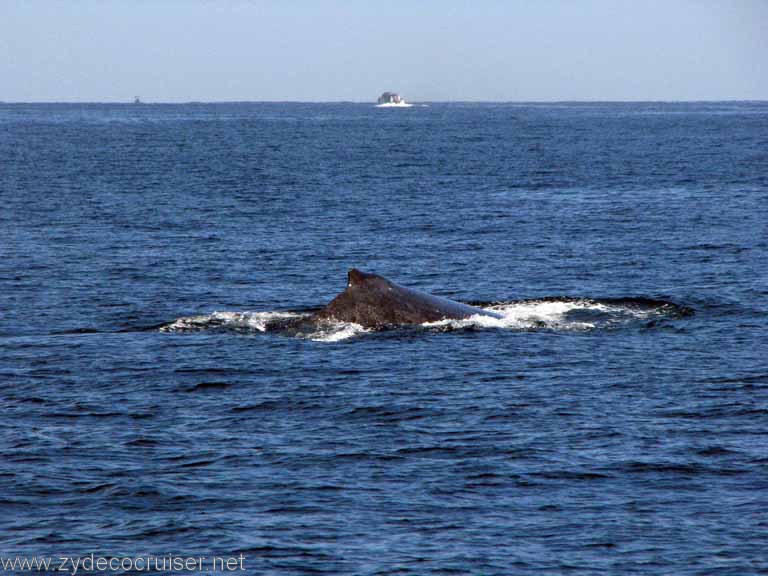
[{"x": 375, "y": 302}]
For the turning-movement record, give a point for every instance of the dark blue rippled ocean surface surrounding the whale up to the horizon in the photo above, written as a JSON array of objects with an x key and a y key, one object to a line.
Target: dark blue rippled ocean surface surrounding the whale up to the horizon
[{"x": 613, "y": 421}]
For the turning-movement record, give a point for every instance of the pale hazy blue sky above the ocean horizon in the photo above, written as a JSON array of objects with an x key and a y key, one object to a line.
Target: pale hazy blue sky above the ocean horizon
[{"x": 500, "y": 50}]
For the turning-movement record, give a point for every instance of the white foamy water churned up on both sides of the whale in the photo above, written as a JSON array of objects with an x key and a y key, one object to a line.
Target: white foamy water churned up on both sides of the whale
[{"x": 562, "y": 314}]
